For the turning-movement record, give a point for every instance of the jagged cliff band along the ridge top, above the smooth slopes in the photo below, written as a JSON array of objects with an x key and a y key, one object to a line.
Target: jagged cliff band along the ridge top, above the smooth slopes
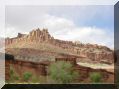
[{"x": 93, "y": 52}]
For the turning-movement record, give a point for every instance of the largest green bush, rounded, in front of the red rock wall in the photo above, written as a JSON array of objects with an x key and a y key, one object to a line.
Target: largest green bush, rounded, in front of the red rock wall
[{"x": 62, "y": 72}]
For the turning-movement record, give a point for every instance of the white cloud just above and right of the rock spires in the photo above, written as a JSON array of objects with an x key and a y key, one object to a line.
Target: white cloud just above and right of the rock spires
[{"x": 56, "y": 24}]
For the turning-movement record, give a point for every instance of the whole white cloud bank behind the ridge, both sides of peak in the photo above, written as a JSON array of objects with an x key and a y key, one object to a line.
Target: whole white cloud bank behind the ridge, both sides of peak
[{"x": 65, "y": 29}]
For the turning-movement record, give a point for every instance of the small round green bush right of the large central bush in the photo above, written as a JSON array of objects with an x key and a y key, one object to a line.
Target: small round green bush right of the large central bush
[{"x": 95, "y": 77}]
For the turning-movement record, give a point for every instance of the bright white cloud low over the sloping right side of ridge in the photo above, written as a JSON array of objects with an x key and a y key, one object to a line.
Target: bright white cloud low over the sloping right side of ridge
[{"x": 89, "y": 35}]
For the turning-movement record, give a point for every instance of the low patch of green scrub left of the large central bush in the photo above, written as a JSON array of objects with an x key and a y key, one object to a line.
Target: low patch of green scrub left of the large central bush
[{"x": 25, "y": 77}]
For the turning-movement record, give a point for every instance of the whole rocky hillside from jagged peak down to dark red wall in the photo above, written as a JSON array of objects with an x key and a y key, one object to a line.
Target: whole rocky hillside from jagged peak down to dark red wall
[{"x": 39, "y": 43}]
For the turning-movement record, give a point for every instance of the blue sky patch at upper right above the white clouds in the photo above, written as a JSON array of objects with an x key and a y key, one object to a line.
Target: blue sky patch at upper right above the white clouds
[{"x": 96, "y": 15}]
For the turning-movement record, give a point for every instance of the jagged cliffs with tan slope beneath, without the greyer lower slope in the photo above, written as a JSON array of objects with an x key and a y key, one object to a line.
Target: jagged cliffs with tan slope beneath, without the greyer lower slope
[{"x": 42, "y": 40}]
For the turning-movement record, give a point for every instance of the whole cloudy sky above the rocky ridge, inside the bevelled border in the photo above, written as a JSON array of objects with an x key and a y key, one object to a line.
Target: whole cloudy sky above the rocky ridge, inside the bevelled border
[{"x": 86, "y": 23}]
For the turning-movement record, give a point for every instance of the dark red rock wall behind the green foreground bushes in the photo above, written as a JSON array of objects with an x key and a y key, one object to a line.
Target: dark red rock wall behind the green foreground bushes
[{"x": 40, "y": 68}]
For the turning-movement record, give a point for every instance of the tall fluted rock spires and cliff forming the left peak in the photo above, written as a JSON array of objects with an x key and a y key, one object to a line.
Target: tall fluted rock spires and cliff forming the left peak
[{"x": 34, "y": 36}]
